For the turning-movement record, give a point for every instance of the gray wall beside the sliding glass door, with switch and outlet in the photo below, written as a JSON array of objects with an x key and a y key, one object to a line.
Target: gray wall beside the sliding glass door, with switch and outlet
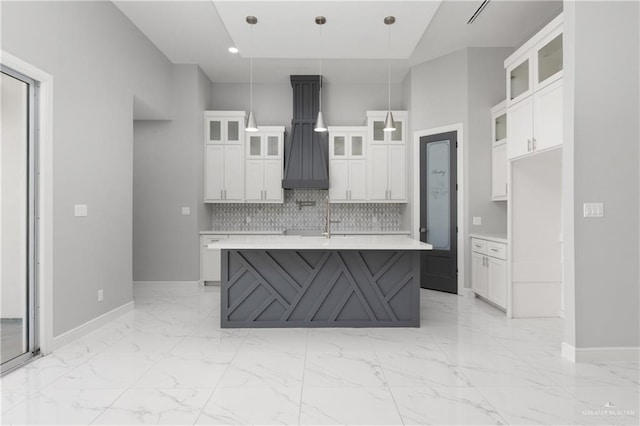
[{"x": 99, "y": 62}]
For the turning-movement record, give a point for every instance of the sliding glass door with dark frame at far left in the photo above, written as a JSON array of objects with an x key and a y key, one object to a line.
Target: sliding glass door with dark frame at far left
[{"x": 17, "y": 219}]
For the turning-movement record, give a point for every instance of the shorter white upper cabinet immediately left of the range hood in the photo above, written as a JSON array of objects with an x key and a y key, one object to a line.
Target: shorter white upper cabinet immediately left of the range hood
[{"x": 264, "y": 165}]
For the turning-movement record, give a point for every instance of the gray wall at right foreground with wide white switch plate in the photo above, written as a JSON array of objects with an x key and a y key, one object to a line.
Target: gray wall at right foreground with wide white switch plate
[{"x": 603, "y": 92}]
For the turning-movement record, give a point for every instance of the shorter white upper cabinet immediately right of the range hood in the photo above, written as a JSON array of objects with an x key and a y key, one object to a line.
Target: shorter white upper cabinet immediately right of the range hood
[{"x": 347, "y": 164}]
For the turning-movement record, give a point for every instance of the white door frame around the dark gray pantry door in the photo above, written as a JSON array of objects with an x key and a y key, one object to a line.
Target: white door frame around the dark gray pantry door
[{"x": 461, "y": 195}]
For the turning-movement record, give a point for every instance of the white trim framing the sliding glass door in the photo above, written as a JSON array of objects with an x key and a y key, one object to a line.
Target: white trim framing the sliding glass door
[{"x": 45, "y": 201}]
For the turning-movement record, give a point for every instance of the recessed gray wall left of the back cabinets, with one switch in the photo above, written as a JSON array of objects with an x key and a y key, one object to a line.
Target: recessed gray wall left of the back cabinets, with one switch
[{"x": 168, "y": 164}]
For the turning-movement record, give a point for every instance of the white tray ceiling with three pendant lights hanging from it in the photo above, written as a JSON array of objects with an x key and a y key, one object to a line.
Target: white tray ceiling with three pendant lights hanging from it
[{"x": 355, "y": 45}]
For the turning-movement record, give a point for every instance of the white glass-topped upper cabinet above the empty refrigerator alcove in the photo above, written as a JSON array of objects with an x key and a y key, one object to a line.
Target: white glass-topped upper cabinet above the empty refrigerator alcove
[{"x": 534, "y": 93}]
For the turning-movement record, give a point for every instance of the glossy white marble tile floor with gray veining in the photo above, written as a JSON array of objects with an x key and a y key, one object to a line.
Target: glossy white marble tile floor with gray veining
[{"x": 168, "y": 362}]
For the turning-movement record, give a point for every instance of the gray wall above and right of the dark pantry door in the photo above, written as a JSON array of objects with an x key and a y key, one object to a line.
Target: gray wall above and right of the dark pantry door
[{"x": 461, "y": 88}]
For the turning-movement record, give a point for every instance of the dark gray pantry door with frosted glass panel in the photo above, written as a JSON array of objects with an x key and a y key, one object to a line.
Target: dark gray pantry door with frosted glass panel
[{"x": 438, "y": 211}]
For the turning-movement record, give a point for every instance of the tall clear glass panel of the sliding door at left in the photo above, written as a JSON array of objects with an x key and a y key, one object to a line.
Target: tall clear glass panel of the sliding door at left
[{"x": 15, "y": 213}]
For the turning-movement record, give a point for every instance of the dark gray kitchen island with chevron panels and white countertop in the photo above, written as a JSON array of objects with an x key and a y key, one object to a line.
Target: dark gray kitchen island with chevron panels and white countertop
[{"x": 299, "y": 281}]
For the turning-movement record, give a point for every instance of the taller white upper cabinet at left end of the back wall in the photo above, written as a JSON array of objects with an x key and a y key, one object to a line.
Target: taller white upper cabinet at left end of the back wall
[{"x": 224, "y": 156}]
